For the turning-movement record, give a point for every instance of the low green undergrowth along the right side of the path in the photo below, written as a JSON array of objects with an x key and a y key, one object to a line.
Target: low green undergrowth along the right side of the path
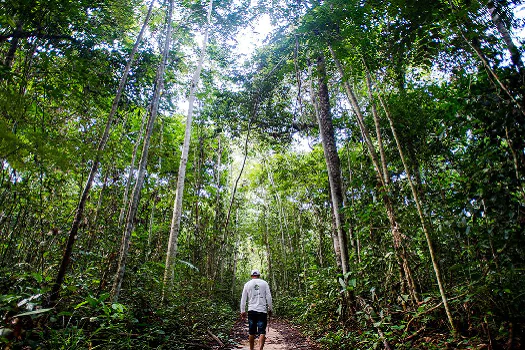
[{"x": 399, "y": 322}]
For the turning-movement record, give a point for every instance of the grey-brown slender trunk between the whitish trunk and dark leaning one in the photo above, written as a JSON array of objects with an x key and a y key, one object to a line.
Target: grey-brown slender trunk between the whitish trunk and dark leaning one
[{"x": 133, "y": 205}]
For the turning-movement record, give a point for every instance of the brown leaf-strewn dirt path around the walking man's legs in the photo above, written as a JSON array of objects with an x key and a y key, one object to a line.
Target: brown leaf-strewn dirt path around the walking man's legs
[{"x": 280, "y": 336}]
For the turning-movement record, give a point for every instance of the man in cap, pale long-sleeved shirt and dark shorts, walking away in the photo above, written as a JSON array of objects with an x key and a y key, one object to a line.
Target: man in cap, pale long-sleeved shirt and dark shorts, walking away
[{"x": 257, "y": 292}]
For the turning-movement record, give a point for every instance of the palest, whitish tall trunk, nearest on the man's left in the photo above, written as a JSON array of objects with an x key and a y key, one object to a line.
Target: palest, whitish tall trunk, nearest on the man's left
[{"x": 177, "y": 206}]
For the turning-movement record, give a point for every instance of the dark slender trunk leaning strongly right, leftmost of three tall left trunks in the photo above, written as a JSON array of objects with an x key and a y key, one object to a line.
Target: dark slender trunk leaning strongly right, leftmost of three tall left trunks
[{"x": 102, "y": 144}]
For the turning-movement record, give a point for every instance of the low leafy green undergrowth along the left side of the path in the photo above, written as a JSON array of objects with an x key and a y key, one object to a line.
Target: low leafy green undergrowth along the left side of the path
[{"x": 86, "y": 319}]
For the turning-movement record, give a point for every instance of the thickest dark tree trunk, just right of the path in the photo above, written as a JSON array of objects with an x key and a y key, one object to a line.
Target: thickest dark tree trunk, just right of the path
[{"x": 333, "y": 163}]
